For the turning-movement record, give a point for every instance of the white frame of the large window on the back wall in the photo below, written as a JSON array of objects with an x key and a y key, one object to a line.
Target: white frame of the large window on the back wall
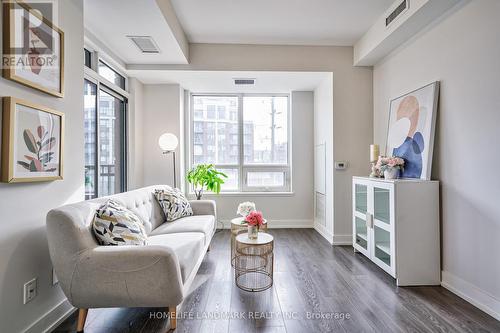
[{"x": 244, "y": 169}]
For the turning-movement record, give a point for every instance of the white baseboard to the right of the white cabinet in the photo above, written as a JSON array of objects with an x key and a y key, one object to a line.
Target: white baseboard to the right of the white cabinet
[{"x": 472, "y": 294}]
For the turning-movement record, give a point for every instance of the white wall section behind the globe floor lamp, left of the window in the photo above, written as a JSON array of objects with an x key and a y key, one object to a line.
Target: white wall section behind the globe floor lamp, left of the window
[{"x": 162, "y": 112}]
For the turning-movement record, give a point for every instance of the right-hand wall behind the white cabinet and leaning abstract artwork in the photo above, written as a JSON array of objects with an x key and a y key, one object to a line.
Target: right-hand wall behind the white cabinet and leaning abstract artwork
[{"x": 463, "y": 52}]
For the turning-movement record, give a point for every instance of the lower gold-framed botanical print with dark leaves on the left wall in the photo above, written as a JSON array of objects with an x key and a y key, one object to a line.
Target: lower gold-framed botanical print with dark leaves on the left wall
[{"x": 32, "y": 142}]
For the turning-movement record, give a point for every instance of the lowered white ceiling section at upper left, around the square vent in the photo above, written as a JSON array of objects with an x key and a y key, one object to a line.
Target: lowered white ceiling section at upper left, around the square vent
[{"x": 112, "y": 20}]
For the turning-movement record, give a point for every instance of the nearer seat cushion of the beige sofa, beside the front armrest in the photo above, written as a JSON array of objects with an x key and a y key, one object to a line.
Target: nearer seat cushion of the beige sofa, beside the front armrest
[{"x": 188, "y": 247}]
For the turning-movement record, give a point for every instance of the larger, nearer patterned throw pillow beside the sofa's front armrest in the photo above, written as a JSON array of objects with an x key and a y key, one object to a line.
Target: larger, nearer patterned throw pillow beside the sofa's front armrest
[{"x": 115, "y": 225}]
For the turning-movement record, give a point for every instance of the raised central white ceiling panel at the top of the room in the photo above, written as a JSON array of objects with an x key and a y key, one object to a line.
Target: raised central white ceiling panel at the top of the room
[{"x": 295, "y": 22}]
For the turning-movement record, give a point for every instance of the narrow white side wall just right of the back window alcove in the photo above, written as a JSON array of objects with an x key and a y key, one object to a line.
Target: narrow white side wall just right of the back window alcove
[{"x": 323, "y": 134}]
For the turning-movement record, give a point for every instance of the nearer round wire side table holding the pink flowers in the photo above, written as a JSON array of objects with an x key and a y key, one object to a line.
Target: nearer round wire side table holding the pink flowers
[{"x": 253, "y": 264}]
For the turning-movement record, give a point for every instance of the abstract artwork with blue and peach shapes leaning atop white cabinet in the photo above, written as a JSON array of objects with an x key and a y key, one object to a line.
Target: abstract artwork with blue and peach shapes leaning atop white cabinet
[{"x": 412, "y": 122}]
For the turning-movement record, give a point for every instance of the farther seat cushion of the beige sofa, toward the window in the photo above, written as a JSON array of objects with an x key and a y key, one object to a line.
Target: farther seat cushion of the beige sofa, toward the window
[{"x": 197, "y": 223}]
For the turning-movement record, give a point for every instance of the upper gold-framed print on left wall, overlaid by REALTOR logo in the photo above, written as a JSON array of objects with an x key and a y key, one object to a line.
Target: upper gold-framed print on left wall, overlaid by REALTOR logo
[{"x": 33, "y": 47}]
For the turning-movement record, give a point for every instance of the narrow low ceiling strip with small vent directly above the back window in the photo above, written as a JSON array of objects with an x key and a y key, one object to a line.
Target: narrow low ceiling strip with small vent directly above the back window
[{"x": 222, "y": 81}]
